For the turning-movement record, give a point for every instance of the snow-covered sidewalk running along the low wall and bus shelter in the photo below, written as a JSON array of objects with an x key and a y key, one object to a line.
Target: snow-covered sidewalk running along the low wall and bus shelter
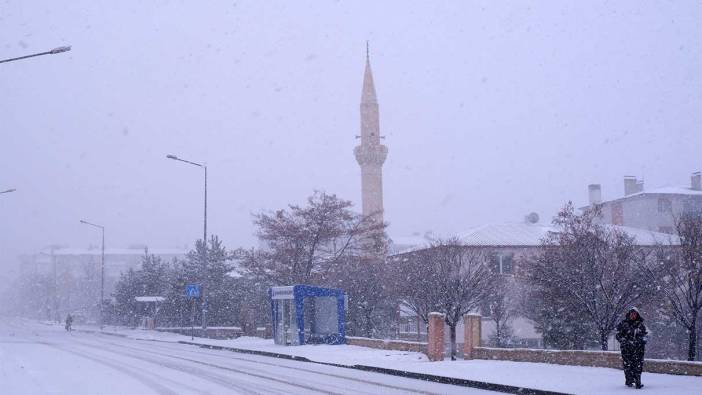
[{"x": 560, "y": 378}]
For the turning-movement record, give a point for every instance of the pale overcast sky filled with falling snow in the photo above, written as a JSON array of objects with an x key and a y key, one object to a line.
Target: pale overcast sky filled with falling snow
[{"x": 490, "y": 111}]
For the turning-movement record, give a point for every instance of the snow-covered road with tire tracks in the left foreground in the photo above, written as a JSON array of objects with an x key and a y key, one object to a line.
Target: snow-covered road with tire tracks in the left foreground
[{"x": 40, "y": 359}]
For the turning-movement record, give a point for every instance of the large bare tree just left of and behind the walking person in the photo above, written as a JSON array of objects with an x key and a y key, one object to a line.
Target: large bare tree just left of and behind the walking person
[{"x": 592, "y": 268}]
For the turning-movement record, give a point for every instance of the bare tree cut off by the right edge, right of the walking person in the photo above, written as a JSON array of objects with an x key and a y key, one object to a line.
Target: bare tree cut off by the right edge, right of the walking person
[{"x": 677, "y": 271}]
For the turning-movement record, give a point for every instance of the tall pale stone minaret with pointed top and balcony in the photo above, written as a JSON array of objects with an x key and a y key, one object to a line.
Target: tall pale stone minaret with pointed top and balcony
[{"x": 370, "y": 154}]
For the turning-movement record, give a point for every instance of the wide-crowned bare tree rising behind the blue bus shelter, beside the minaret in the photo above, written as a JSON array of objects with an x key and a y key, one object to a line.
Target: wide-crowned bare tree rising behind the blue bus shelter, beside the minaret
[{"x": 303, "y": 244}]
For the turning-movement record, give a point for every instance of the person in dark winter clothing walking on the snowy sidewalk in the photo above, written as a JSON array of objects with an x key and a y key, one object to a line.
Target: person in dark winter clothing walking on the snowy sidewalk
[{"x": 632, "y": 337}]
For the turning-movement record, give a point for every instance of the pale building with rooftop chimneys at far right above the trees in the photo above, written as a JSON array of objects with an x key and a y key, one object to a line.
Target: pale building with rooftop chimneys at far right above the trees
[{"x": 651, "y": 209}]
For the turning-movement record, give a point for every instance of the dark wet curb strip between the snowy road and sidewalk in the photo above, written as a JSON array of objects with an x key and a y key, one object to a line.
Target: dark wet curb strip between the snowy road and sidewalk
[{"x": 509, "y": 389}]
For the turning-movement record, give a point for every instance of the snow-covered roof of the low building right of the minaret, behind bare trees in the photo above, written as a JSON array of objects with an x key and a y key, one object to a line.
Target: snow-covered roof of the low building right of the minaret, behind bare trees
[{"x": 531, "y": 235}]
